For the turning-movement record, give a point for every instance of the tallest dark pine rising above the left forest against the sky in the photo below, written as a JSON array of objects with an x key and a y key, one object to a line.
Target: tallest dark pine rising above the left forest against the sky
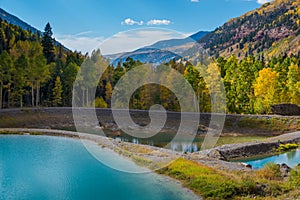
[{"x": 48, "y": 44}]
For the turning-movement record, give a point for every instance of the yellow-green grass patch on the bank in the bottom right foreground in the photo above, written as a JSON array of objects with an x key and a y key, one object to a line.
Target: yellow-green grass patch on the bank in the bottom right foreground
[{"x": 216, "y": 184}]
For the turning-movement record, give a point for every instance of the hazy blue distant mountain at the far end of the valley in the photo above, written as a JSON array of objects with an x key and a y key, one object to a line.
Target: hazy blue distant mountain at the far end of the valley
[{"x": 161, "y": 51}]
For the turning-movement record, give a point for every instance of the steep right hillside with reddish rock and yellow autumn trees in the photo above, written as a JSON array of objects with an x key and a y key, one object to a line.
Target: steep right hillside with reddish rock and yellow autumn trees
[{"x": 272, "y": 29}]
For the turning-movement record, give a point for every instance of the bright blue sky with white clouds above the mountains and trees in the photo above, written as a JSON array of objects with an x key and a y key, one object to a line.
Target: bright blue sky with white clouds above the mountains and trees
[{"x": 81, "y": 24}]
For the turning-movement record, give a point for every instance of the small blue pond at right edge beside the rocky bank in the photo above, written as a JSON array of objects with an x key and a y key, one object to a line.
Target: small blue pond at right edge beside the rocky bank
[{"x": 292, "y": 159}]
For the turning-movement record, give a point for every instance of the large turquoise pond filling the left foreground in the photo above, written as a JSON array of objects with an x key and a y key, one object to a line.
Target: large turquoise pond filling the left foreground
[{"x": 42, "y": 167}]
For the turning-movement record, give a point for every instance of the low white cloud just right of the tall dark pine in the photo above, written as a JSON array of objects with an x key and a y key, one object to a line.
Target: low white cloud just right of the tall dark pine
[{"x": 80, "y": 41}]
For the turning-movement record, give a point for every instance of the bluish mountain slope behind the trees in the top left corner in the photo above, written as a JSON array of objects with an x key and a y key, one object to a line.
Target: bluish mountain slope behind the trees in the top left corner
[{"x": 16, "y": 21}]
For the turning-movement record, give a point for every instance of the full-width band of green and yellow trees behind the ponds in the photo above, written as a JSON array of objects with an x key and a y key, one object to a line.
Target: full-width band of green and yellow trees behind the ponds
[{"x": 35, "y": 71}]
